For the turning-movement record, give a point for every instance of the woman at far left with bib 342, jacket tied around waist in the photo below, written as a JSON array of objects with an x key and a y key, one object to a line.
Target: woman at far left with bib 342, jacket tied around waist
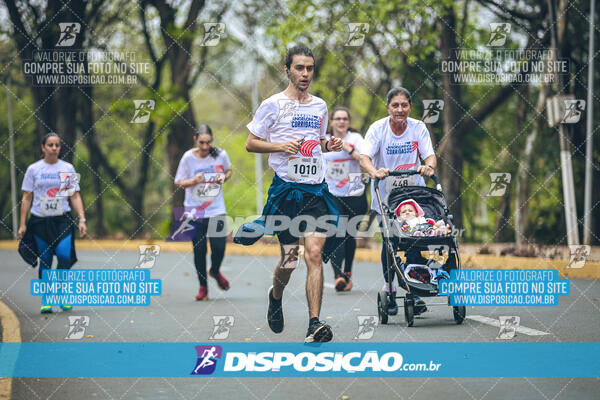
[{"x": 47, "y": 187}]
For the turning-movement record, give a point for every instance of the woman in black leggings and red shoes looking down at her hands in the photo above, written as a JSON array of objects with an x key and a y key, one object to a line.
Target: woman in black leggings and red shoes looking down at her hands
[{"x": 202, "y": 171}]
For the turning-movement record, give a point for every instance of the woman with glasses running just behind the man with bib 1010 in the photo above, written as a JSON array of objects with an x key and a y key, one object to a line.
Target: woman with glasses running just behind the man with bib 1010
[{"x": 345, "y": 183}]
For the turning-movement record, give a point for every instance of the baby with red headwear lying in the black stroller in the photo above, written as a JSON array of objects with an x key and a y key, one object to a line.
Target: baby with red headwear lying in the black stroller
[{"x": 412, "y": 220}]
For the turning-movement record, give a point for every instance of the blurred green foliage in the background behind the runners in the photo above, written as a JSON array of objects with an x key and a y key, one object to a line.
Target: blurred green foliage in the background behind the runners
[{"x": 402, "y": 47}]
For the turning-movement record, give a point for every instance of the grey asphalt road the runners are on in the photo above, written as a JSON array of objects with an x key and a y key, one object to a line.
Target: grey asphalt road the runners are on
[{"x": 176, "y": 317}]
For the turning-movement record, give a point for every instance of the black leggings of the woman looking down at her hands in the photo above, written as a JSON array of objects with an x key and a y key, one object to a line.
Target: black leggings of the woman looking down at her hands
[{"x": 217, "y": 246}]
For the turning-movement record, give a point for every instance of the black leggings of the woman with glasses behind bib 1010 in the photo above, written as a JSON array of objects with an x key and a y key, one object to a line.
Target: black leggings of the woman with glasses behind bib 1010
[{"x": 344, "y": 248}]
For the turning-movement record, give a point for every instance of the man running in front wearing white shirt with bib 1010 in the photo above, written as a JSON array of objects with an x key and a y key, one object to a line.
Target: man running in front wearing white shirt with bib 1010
[{"x": 291, "y": 126}]
